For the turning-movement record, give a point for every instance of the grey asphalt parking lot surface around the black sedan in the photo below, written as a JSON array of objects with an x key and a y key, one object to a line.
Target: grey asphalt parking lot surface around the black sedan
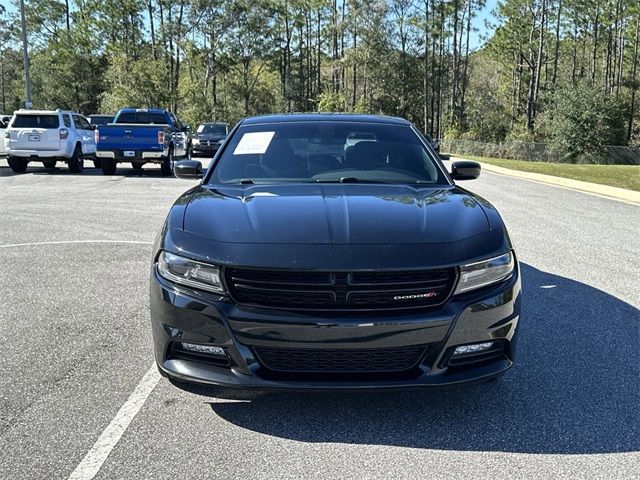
[{"x": 75, "y": 342}]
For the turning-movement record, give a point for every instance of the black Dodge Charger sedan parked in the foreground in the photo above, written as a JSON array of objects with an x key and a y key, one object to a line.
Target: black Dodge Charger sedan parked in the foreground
[{"x": 332, "y": 251}]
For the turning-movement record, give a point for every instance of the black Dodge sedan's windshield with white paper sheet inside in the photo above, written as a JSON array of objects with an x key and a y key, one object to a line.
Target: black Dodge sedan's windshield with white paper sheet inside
[{"x": 319, "y": 152}]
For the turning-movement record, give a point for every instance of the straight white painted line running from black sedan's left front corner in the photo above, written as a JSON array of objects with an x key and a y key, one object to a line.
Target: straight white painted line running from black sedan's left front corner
[{"x": 93, "y": 460}]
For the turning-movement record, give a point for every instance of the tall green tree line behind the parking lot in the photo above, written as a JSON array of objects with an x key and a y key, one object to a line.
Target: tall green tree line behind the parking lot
[{"x": 563, "y": 72}]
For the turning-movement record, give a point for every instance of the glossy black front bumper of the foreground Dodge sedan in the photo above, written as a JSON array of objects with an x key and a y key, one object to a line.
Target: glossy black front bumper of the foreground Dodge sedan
[{"x": 183, "y": 315}]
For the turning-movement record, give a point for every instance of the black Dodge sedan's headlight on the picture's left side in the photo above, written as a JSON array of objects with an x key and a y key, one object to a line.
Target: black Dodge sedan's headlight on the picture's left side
[{"x": 189, "y": 272}]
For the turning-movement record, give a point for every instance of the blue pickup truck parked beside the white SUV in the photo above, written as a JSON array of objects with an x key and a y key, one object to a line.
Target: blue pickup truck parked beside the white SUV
[{"x": 139, "y": 136}]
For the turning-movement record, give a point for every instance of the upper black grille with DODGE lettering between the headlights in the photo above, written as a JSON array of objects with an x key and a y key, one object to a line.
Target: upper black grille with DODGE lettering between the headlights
[{"x": 340, "y": 290}]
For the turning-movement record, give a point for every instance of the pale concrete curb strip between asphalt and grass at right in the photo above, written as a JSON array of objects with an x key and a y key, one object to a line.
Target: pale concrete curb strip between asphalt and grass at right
[{"x": 613, "y": 193}]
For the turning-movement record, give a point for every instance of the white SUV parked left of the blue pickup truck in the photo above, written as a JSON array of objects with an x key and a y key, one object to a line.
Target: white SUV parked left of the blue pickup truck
[{"x": 48, "y": 136}]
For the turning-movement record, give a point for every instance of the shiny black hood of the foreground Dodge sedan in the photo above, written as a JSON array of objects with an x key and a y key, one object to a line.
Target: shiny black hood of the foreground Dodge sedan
[{"x": 331, "y": 214}]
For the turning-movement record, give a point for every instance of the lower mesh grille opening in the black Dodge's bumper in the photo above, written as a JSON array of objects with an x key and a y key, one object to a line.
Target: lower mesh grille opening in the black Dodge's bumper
[{"x": 339, "y": 360}]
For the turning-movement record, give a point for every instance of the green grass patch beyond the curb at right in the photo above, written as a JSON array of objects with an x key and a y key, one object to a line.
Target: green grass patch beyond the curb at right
[{"x": 622, "y": 176}]
